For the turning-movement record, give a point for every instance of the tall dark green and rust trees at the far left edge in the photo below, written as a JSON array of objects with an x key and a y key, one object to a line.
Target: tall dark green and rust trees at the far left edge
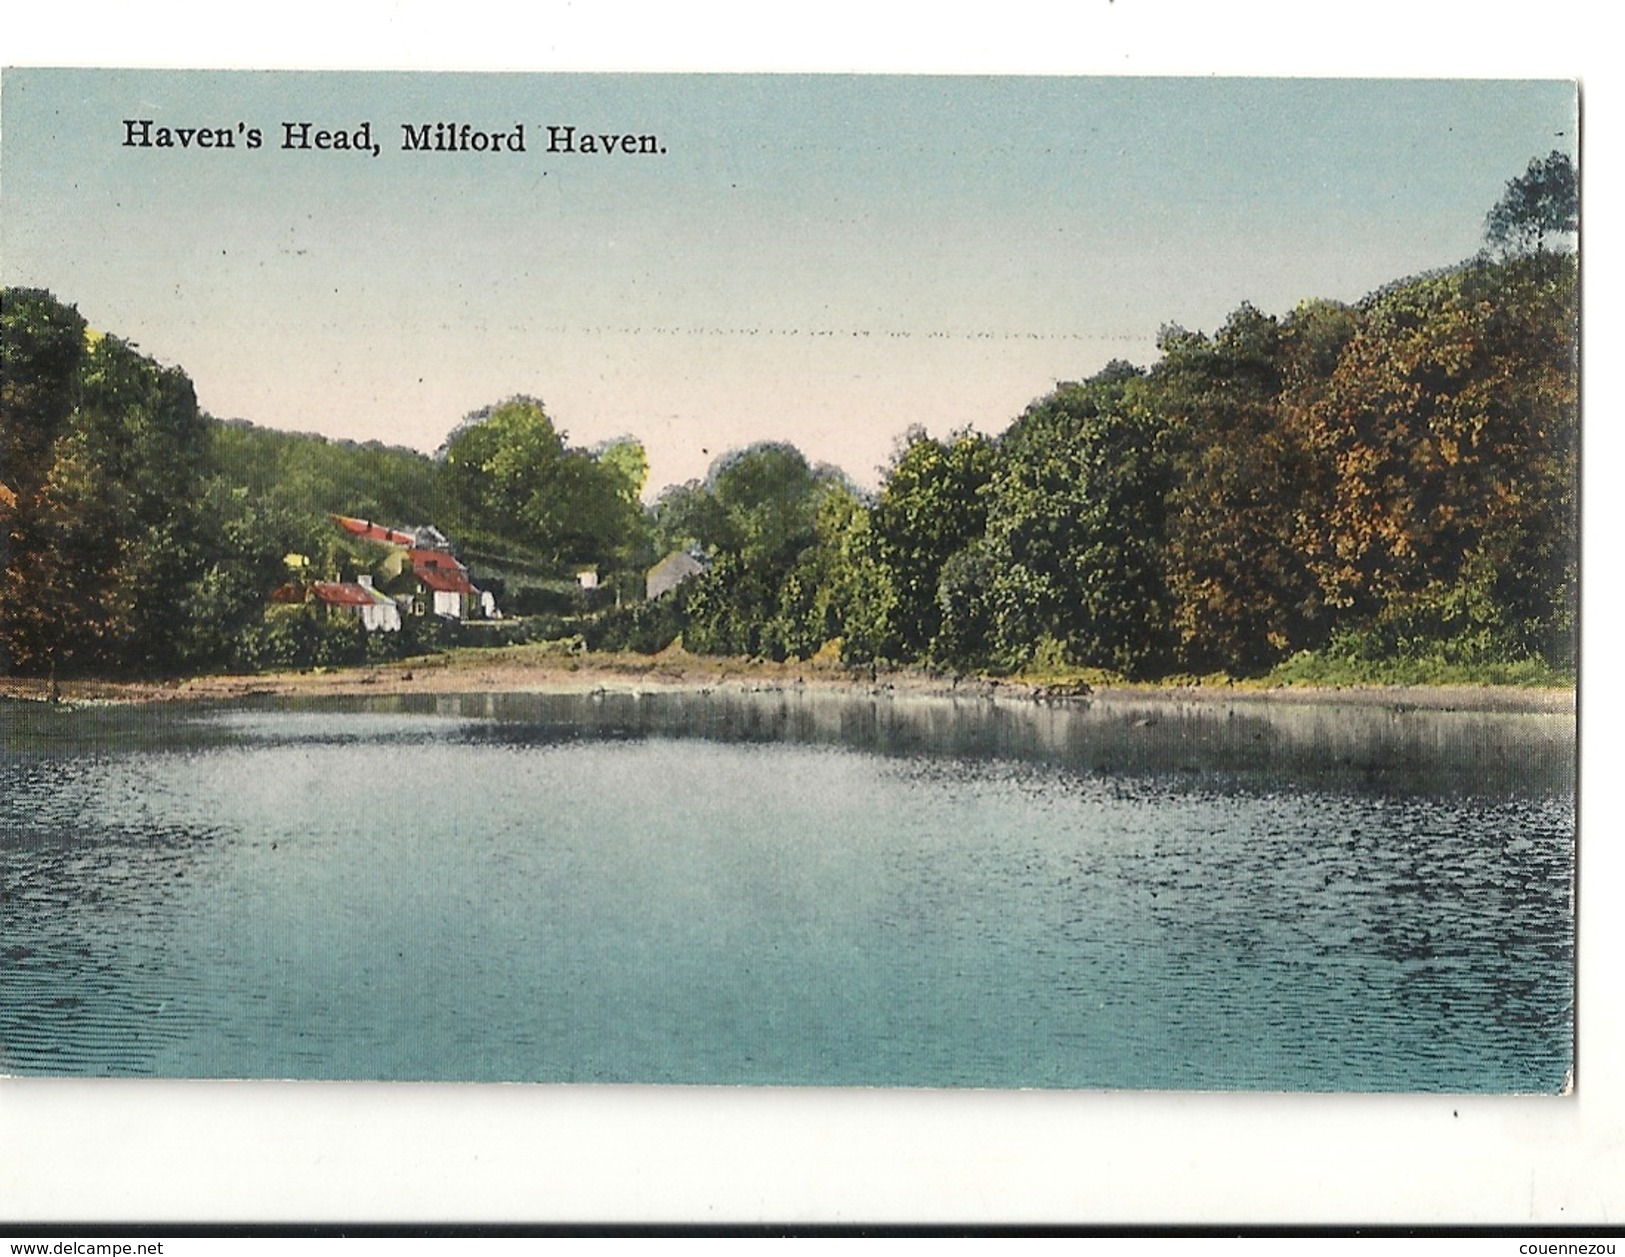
[{"x": 103, "y": 521}]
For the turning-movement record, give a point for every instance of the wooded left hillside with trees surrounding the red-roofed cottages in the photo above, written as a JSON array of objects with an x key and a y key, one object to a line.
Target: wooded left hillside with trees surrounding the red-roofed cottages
[{"x": 144, "y": 537}]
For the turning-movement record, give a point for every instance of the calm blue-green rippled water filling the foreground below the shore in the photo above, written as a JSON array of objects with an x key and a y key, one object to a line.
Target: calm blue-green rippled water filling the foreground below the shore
[{"x": 791, "y": 889}]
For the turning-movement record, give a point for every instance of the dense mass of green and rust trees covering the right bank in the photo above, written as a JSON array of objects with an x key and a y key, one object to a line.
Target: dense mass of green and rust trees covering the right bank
[{"x": 1390, "y": 482}]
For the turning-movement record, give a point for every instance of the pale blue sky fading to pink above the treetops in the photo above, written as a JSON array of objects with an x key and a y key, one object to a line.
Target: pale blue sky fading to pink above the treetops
[{"x": 817, "y": 259}]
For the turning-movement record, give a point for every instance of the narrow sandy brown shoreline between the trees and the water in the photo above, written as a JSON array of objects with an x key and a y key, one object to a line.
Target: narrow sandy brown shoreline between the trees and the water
[{"x": 501, "y": 673}]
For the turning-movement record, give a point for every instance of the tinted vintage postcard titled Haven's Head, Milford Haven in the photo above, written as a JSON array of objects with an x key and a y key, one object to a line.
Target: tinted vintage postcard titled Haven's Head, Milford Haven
[{"x": 791, "y": 581}]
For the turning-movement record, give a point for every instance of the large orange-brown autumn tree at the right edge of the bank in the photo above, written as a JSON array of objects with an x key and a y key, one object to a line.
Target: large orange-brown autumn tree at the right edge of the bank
[{"x": 1452, "y": 426}]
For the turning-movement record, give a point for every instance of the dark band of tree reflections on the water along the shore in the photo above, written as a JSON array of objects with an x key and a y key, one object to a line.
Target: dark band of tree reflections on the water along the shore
[{"x": 1332, "y": 746}]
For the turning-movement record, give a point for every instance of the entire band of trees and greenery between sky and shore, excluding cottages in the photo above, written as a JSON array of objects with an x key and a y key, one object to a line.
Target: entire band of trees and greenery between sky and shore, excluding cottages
[{"x": 1341, "y": 495}]
